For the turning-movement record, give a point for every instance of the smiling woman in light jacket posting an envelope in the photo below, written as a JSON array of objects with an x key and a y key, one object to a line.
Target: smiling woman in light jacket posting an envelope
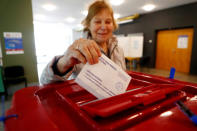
[{"x": 99, "y": 25}]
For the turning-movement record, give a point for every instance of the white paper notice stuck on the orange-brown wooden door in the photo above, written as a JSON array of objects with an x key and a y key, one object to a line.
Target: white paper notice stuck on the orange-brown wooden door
[{"x": 182, "y": 42}]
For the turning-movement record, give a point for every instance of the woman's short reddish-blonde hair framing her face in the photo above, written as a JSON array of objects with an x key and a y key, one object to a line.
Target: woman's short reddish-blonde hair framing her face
[{"x": 94, "y": 9}]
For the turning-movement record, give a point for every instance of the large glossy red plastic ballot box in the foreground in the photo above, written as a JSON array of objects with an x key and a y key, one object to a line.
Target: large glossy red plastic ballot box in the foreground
[{"x": 148, "y": 104}]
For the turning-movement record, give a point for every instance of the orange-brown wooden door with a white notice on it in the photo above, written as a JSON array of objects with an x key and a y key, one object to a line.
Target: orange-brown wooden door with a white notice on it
[{"x": 174, "y": 49}]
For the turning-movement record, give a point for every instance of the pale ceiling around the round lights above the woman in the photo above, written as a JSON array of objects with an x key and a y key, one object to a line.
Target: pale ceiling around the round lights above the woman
[{"x": 73, "y": 8}]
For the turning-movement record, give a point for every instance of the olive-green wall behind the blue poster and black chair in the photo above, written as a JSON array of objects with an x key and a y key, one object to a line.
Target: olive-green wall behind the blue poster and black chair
[{"x": 16, "y": 16}]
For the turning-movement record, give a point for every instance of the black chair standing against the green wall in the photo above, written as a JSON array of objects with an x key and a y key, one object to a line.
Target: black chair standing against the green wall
[{"x": 13, "y": 75}]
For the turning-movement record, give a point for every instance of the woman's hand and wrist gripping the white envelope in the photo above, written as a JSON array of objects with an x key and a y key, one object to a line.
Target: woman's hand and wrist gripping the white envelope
[{"x": 81, "y": 51}]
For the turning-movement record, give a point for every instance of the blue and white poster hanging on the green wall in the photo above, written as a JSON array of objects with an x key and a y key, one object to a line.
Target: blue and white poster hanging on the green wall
[{"x": 13, "y": 43}]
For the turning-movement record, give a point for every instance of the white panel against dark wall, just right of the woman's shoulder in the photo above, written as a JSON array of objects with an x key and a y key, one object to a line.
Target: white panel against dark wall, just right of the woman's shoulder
[{"x": 132, "y": 44}]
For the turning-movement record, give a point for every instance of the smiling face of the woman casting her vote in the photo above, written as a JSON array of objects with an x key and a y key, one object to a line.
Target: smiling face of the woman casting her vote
[{"x": 101, "y": 26}]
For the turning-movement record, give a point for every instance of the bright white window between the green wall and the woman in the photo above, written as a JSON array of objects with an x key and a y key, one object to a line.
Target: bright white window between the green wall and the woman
[{"x": 51, "y": 39}]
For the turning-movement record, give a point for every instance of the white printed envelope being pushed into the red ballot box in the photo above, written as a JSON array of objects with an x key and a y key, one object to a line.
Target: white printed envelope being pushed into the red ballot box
[{"x": 104, "y": 79}]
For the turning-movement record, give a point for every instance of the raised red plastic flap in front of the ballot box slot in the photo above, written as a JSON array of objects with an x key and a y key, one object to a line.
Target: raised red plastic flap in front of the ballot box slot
[{"x": 115, "y": 104}]
